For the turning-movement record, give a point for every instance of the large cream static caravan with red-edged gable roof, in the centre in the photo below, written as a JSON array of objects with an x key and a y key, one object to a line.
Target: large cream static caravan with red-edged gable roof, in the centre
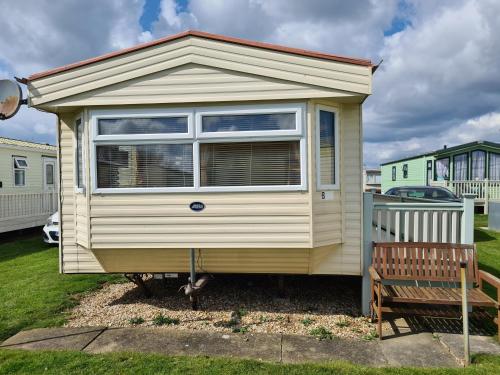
[{"x": 249, "y": 153}]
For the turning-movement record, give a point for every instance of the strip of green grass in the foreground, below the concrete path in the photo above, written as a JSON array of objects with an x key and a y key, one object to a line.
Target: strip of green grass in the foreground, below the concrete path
[{"x": 21, "y": 362}]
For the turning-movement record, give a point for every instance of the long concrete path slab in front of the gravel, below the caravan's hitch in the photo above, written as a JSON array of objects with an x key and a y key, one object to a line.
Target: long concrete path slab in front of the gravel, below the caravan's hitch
[{"x": 179, "y": 342}]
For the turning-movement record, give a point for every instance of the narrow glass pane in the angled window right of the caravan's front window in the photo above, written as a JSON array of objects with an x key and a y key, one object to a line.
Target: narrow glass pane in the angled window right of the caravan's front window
[{"x": 327, "y": 147}]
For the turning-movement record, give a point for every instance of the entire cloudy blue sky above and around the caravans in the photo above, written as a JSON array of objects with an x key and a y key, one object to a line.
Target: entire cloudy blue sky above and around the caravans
[{"x": 438, "y": 83}]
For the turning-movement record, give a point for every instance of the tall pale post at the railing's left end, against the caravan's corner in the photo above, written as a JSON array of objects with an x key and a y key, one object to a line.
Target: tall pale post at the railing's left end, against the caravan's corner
[{"x": 367, "y": 251}]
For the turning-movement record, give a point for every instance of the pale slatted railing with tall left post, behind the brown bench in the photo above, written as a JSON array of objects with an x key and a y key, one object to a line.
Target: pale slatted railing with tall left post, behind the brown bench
[{"x": 396, "y": 219}]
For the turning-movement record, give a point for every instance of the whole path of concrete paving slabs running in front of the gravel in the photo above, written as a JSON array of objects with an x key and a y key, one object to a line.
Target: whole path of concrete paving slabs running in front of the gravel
[{"x": 412, "y": 349}]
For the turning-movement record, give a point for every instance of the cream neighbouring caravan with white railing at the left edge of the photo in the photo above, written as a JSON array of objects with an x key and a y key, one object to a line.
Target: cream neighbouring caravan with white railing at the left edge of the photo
[{"x": 28, "y": 184}]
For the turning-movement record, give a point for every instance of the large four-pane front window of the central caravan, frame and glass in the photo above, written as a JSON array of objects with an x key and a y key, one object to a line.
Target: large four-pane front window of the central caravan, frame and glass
[{"x": 247, "y": 148}]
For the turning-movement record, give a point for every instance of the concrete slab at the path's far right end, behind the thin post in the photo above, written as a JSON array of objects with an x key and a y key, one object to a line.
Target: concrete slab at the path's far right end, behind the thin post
[{"x": 478, "y": 345}]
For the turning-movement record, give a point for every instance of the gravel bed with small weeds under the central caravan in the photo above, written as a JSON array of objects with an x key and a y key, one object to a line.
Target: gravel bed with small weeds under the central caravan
[{"x": 243, "y": 304}]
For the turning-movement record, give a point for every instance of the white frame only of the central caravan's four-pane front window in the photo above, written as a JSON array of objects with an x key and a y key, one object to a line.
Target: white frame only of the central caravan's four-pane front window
[{"x": 196, "y": 137}]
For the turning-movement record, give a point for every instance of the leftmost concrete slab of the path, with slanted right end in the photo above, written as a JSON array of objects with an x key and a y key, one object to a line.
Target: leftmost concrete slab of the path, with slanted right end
[{"x": 53, "y": 338}]
